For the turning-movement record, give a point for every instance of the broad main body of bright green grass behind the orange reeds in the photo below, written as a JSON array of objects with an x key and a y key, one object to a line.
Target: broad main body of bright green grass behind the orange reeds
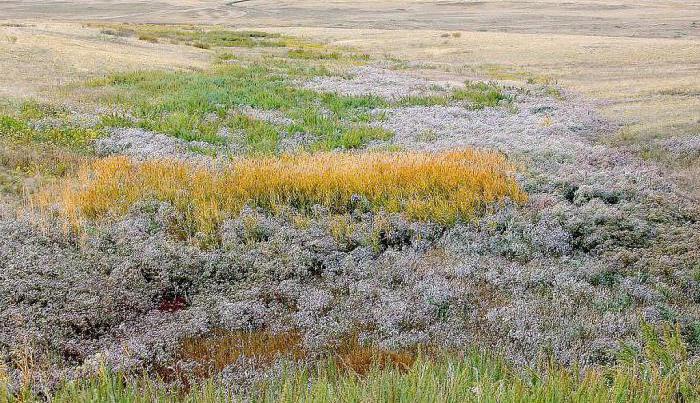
[{"x": 182, "y": 104}]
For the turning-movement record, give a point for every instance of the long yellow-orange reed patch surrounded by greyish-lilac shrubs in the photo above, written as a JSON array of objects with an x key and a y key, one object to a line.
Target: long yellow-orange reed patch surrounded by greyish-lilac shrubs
[{"x": 440, "y": 187}]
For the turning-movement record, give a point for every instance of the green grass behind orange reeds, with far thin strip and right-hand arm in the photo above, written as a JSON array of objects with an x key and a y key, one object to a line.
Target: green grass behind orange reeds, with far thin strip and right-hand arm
[{"x": 182, "y": 104}]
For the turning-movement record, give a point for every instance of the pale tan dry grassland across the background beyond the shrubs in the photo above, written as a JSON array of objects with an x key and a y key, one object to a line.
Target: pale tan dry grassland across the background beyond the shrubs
[{"x": 628, "y": 58}]
